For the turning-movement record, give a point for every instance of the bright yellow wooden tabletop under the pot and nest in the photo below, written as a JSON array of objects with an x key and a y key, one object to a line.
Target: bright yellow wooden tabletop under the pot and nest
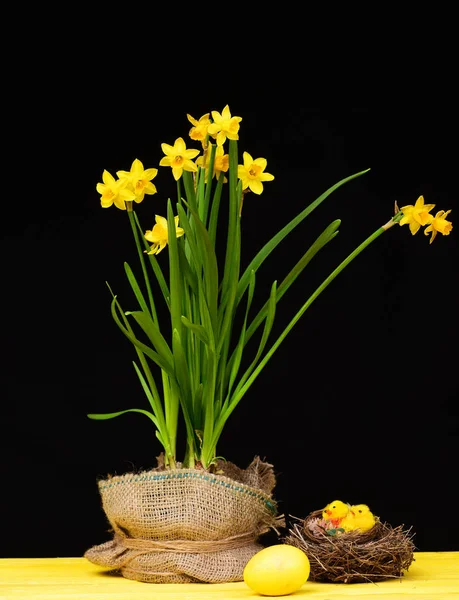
[{"x": 432, "y": 576}]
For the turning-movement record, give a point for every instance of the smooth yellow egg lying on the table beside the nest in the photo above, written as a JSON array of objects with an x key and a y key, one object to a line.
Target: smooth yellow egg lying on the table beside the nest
[{"x": 277, "y": 570}]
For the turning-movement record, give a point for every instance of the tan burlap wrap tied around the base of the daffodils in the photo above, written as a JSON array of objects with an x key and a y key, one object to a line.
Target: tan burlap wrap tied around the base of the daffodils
[{"x": 186, "y": 525}]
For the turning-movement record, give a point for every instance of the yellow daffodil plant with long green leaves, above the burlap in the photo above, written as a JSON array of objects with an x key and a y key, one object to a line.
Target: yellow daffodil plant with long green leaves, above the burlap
[{"x": 195, "y": 365}]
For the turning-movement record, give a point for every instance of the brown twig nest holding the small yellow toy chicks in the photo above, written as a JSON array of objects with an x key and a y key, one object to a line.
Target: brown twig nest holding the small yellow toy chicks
[{"x": 382, "y": 552}]
